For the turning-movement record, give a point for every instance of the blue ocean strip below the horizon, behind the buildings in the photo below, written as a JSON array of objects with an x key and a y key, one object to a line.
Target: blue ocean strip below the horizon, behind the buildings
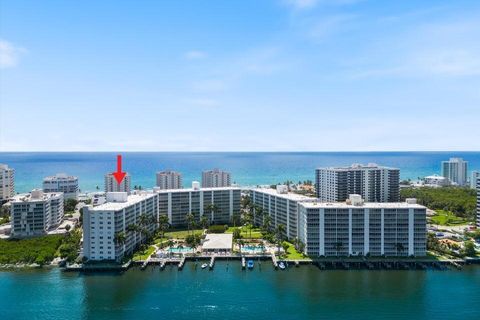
[{"x": 247, "y": 168}]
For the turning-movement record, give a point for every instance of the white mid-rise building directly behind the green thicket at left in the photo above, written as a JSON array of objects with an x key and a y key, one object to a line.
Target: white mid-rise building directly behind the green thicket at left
[{"x": 35, "y": 213}]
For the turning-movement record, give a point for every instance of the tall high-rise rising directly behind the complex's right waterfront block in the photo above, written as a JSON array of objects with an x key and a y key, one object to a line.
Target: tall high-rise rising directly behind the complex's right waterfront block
[{"x": 374, "y": 183}]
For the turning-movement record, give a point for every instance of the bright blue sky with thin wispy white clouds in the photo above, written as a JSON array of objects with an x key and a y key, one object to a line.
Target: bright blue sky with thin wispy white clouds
[{"x": 249, "y": 75}]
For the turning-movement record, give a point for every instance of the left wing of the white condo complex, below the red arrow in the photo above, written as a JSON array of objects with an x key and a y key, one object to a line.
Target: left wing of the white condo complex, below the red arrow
[{"x": 114, "y": 229}]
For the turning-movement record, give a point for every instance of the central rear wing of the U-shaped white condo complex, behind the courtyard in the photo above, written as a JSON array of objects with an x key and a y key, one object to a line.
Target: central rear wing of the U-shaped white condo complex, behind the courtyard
[{"x": 219, "y": 205}]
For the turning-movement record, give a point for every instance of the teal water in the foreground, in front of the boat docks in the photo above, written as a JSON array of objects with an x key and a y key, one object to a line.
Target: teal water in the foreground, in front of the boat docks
[{"x": 297, "y": 293}]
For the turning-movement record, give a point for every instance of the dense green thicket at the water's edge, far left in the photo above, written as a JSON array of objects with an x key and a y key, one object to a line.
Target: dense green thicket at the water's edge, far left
[{"x": 33, "y": 250}]
